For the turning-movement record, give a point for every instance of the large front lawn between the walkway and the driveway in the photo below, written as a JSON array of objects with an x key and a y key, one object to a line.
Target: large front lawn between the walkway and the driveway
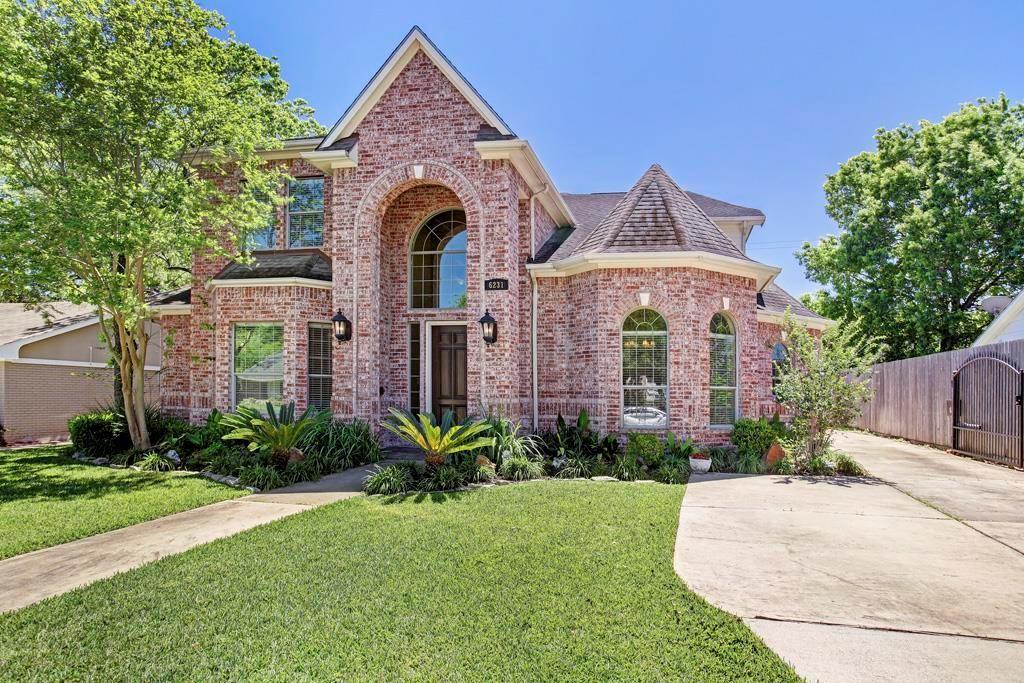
[{"x": 548, "y": 581}]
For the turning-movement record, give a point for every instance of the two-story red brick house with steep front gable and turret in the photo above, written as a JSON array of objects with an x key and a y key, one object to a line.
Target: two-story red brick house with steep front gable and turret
[{"x": 421, "y": 212}]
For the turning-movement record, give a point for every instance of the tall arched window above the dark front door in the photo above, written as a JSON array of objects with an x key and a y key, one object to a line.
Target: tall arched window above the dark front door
[{"x": 439, "y": 263}]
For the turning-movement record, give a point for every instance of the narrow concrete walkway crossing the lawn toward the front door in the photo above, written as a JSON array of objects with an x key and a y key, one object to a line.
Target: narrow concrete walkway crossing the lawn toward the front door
[{"x": 33, "y": 577}]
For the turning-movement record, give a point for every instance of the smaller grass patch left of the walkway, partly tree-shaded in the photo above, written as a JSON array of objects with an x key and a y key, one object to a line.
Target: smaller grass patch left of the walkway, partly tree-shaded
[{"x": 47, "y": 498}]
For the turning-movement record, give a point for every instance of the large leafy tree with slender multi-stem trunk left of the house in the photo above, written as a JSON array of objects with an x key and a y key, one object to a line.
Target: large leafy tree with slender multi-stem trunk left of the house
[{"x": 116, "y": 117}]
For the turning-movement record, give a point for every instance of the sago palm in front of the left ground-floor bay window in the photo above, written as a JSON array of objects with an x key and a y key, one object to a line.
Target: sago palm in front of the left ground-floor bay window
[{"x": 278, "y": 433}]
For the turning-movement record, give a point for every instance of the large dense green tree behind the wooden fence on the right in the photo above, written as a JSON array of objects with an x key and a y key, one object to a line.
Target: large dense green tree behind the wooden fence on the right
[{"x": 930, "y": 223}]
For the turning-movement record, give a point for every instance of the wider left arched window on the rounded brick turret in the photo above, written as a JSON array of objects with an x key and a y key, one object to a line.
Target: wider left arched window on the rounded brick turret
[{"x": 646, "y": 371}]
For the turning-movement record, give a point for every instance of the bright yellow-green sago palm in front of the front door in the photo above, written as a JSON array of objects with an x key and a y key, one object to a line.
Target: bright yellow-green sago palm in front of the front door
[{"x": 439, "y": 442}]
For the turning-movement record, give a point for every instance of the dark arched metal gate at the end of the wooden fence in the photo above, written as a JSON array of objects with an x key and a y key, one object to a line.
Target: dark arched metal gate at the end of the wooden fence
[{"x": 989, "y": 411}]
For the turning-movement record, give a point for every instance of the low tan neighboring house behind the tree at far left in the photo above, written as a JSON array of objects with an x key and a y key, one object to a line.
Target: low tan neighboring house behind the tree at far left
[{"x": 54, "y": 367}]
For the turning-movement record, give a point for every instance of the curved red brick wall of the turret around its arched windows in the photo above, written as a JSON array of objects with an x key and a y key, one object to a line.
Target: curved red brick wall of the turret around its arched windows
[{"x": 579, "y": 340}]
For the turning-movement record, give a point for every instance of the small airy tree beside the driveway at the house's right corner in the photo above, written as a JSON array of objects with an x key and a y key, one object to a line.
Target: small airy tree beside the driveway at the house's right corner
[{"x": 825, "y": 382}]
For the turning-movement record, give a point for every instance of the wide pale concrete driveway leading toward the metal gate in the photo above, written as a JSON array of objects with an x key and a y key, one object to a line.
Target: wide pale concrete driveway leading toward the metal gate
[{"x": 851, "y": 579}]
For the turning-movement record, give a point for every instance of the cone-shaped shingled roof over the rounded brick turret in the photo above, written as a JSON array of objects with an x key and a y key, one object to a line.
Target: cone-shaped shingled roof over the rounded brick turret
[{"x": 656, "y": 216}]
